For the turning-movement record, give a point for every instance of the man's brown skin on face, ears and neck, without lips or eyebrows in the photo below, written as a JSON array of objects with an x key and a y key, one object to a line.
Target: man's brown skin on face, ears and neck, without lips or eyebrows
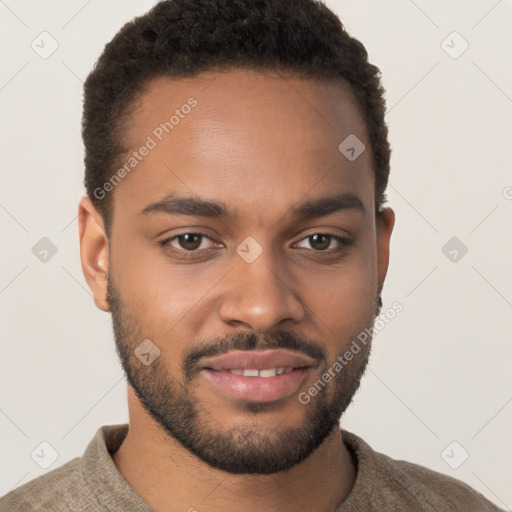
[{"x": 262, "y": 144}]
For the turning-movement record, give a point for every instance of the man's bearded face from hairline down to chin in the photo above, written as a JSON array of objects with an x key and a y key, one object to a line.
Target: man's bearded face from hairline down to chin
[{"x": 290, "y": 257}]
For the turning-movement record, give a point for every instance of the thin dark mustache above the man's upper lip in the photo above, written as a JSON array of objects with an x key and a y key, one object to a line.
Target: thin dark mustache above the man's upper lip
[{"x": 250, "y": 341}]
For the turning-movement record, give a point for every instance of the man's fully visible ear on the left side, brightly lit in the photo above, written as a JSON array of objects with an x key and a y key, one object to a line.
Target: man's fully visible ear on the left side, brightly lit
[{"x": 93, "y": 251}]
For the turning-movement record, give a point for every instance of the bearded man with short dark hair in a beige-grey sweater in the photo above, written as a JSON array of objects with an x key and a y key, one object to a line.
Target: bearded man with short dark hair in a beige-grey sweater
[{"x": 236, "y": 166}]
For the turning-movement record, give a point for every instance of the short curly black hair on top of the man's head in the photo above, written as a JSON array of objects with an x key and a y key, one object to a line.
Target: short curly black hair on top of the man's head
[{"x": 181, "y": 38}]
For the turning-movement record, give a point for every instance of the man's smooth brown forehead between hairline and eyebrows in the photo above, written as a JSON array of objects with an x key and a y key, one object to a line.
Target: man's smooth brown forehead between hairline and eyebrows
[{"x": 249, "y": 139}]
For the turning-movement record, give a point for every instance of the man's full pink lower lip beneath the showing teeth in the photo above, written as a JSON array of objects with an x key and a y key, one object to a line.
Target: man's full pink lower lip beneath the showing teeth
[{"x": 257, "y": 389}]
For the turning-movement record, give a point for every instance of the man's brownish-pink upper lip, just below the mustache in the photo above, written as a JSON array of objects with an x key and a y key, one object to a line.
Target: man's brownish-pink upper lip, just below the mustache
[{"x": 258, "y": 360}]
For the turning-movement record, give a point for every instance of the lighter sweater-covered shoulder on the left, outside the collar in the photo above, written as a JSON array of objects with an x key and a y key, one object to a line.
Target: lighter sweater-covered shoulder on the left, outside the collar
[{"x": 52, "y": 491}]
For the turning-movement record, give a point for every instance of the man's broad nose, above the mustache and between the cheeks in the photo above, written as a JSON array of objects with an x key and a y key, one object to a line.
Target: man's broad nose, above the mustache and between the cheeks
[{"x": 260, "y": 294}]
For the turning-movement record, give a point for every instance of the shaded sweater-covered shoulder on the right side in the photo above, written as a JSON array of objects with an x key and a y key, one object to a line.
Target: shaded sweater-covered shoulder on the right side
[{"x": 403, "y": 485}]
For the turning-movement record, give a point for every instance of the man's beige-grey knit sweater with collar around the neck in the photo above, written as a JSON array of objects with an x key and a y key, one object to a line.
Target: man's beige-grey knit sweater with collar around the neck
[{"x": 92, "y": 483}]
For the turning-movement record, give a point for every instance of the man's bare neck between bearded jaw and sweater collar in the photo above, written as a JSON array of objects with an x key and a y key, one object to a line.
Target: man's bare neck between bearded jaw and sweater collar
[{"x": 168, "y": 477}]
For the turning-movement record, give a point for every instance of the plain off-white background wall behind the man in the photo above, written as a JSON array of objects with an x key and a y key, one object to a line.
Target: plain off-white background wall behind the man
[{"x": 439, "y": 372}]
